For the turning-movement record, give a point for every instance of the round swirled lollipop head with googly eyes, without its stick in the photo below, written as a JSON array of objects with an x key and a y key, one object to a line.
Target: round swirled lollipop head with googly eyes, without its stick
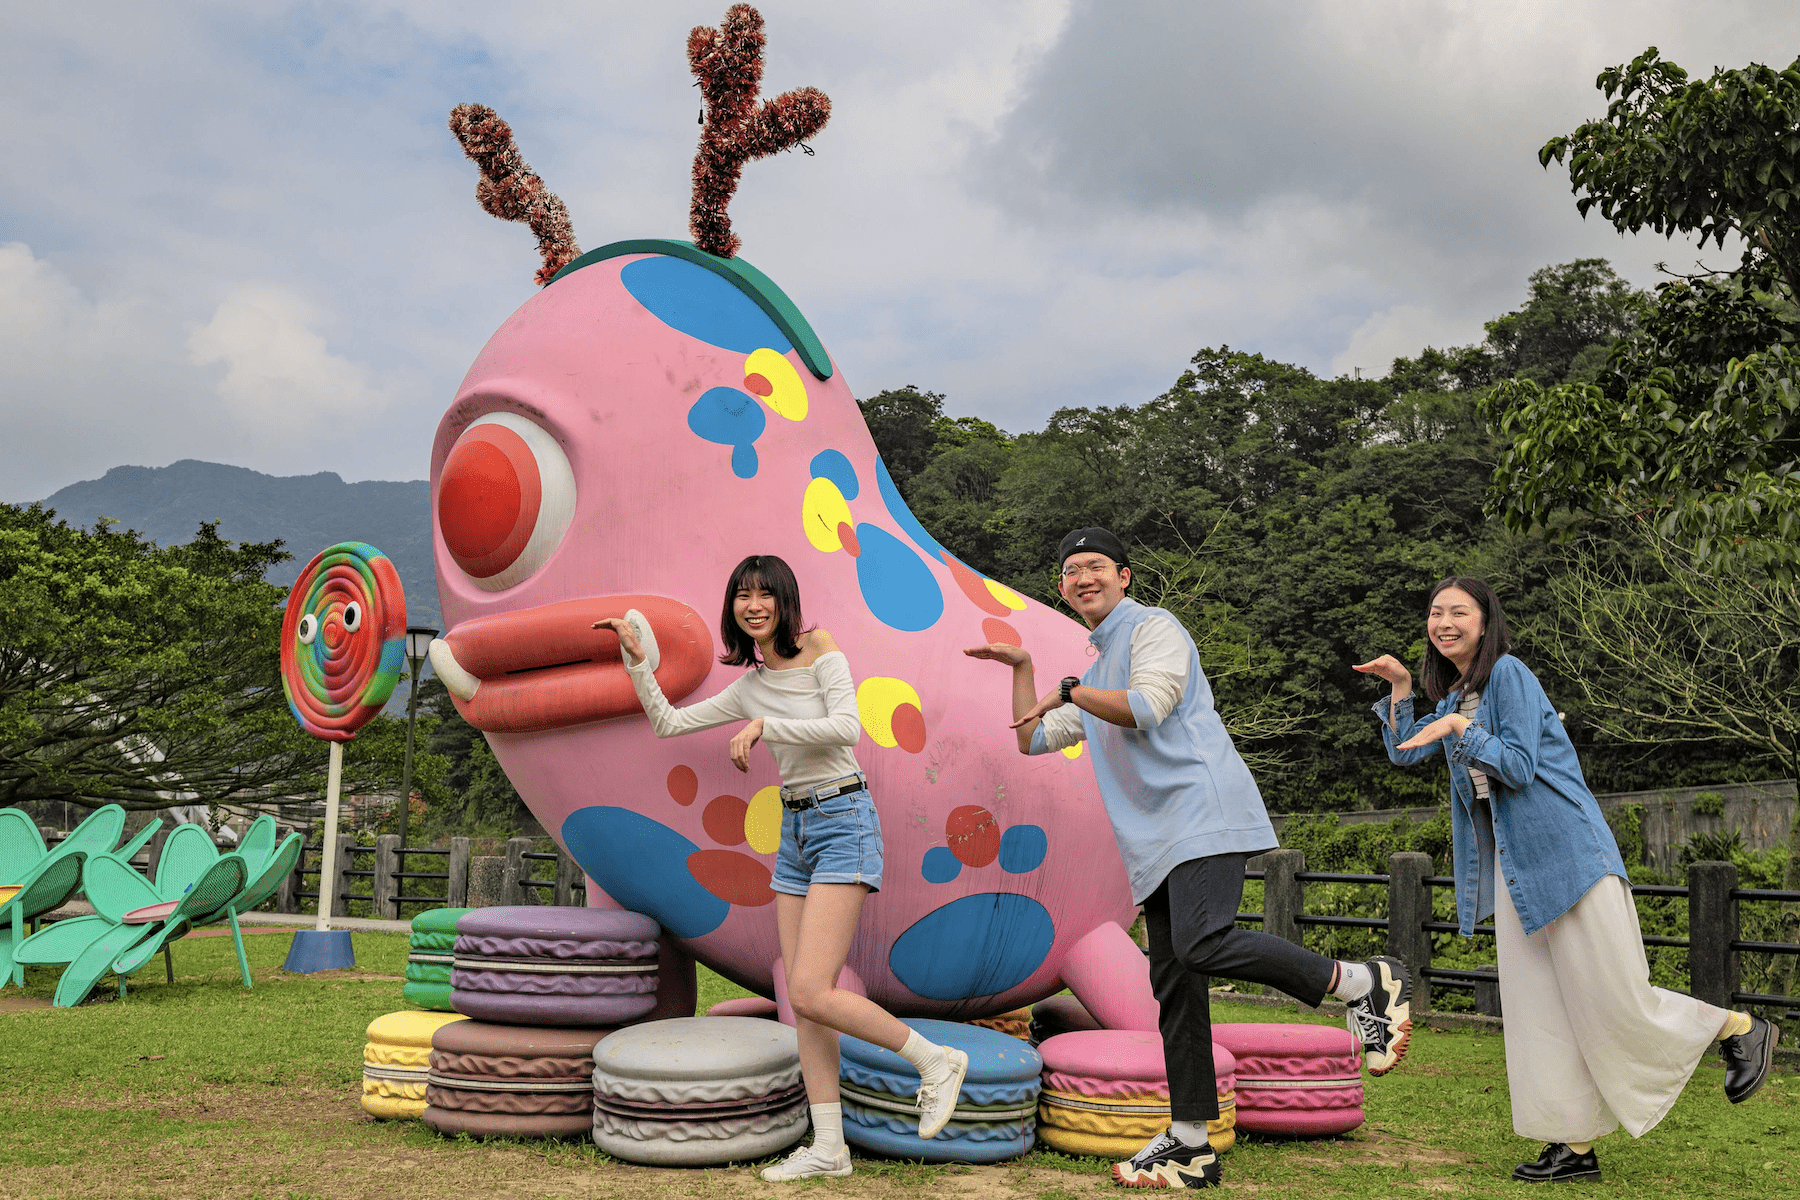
[{"x": 343, "y": 640}]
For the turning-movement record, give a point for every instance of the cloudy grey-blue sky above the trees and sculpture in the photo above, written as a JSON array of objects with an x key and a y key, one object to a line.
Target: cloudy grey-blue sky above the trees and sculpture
[{"x": 242, "y": 231}]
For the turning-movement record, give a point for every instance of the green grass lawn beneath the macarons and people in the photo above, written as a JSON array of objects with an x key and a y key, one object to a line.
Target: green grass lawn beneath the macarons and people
[{"x": 204, "y": 1089}]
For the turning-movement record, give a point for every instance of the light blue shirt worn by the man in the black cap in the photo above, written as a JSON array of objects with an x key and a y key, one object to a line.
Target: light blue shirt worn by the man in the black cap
[{"x": 1176, "y": 787}]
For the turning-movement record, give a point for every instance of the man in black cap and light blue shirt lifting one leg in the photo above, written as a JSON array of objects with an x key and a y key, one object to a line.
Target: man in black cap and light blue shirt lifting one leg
[{"x": 1187, "y": 814}]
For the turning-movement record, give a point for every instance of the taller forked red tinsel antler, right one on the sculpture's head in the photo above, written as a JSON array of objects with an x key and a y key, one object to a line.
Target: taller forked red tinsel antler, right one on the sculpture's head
[{"x": 730, "y": 66}]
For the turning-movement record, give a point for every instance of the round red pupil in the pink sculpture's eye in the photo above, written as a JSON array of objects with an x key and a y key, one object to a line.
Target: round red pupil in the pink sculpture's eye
[{"x": 489, "y": 499}]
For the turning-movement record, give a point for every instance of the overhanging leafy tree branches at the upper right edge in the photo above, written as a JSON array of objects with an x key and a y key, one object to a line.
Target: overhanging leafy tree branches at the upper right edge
[{"x": 1696, "y": 416}]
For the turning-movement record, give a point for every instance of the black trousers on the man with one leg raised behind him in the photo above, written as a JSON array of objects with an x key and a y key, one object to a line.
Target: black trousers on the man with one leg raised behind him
[{"x": 1194, "y": 936}]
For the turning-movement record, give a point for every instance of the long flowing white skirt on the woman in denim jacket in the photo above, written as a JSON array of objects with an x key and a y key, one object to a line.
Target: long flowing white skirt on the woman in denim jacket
[{"x": 1590, "y": 1043}]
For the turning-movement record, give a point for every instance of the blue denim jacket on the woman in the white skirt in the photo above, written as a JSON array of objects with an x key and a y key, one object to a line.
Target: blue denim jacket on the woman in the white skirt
[{"x": 1547, "y": 834}]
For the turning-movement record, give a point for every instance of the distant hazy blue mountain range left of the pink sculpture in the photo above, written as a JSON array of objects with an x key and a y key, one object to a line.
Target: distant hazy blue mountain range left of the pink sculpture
[{"x": 307, "y": 512}]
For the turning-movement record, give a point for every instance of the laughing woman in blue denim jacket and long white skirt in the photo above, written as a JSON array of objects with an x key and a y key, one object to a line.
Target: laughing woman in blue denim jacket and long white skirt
[{"x": 1592, "y": 1044}]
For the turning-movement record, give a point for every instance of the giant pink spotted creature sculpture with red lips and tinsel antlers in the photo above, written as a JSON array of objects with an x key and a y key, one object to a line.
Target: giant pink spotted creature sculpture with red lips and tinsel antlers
[{"x": 633, "y": 431}]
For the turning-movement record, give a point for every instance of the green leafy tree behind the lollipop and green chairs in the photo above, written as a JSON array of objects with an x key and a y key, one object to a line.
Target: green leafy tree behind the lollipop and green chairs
[{"x": 148, "y": 676}]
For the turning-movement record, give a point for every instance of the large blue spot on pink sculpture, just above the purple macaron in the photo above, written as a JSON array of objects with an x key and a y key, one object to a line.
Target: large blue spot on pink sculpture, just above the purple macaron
[{"x": 643, "y": 866}]
